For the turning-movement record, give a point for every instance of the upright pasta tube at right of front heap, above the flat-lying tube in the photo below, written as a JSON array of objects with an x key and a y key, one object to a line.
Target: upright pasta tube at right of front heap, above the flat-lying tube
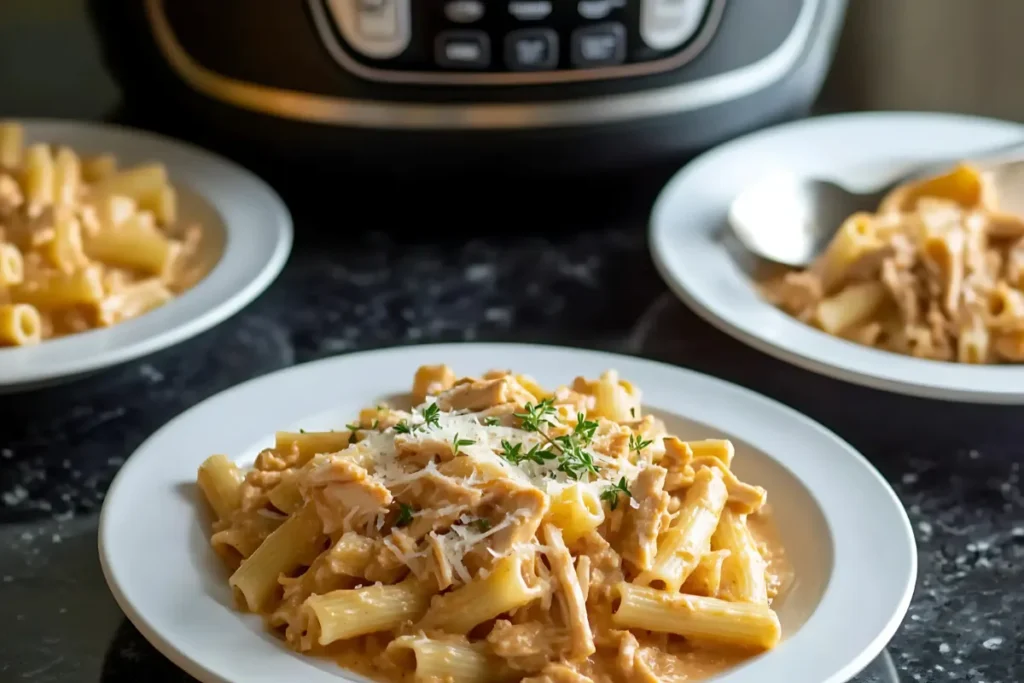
[{"x": 744, "y": 568}]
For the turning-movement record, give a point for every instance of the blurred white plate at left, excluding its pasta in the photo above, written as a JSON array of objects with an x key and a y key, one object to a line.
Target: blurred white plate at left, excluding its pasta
[{"x": 247, "y": 238}]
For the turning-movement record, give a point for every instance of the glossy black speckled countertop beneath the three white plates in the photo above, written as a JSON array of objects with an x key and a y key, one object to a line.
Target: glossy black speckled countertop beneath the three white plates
[{"x": 511, "y": 269}]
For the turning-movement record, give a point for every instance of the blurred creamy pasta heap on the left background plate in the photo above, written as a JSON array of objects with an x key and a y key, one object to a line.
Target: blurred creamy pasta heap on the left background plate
[{"x": 82, "y": 244}]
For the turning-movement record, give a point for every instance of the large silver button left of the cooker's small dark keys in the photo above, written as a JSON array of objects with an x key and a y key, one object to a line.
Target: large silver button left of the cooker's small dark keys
[{"x": 377, "y": 29}]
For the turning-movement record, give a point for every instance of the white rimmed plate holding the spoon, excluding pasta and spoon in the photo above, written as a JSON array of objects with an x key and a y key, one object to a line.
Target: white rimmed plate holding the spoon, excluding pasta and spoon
[{"x": 711, "y": 275}]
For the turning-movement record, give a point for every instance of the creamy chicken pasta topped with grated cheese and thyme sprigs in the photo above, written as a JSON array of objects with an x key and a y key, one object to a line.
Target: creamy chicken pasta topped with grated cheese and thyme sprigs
[{"x": 500, "y": 532}]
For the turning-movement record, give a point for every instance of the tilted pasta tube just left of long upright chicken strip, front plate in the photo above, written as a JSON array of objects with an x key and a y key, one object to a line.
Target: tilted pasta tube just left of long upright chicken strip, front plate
[{"x": 485, "y": 599}]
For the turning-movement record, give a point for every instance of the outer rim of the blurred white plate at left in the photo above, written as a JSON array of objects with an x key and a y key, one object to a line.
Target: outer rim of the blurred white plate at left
[{"x": 67, "y": 362}]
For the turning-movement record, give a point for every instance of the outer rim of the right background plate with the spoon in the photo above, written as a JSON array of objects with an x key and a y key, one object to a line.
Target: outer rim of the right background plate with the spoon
[{"x": 823, "y": 354}]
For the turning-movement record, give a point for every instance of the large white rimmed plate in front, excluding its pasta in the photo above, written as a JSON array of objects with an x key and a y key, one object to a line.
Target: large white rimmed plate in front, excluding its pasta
[{"x": 843, "y": 527}]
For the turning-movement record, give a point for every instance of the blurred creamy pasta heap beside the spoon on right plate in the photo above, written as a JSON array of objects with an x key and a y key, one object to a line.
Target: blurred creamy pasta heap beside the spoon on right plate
[{"x": 937, "y": 273}]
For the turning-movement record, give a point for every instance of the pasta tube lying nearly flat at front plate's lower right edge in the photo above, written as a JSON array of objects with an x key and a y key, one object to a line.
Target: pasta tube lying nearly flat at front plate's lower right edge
[{"x": 738, "y": 624}]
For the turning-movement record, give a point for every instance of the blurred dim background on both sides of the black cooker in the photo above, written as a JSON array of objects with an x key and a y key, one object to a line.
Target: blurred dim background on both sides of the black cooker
[{"x": 912, "y": 55}]
